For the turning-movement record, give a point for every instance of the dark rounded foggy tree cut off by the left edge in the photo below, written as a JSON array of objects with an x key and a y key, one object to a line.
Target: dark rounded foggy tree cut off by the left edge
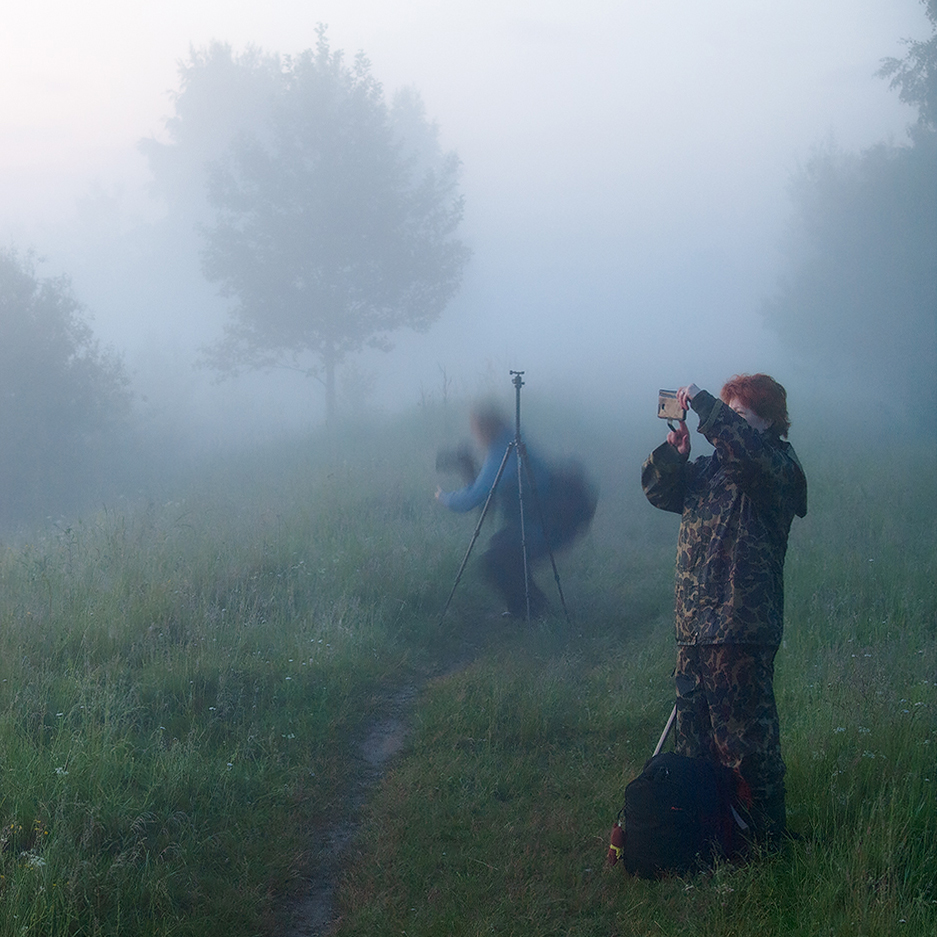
[{"x": 61, "y": 396}]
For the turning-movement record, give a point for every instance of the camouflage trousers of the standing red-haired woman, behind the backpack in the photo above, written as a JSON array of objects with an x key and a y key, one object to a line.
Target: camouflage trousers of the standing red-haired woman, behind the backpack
[{"x": 726, "y": 712}]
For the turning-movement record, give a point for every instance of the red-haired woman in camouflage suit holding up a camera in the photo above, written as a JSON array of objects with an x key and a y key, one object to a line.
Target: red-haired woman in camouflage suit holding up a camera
[{"x": 736, "y": 508}]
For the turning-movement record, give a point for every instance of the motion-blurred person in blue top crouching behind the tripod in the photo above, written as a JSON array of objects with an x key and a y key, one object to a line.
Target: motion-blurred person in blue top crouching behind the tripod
[{"x": 566, "y": 506}]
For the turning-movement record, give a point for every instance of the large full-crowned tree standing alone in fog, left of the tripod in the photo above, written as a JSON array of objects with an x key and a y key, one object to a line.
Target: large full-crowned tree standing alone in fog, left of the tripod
[{"x": 334, "y": 216}]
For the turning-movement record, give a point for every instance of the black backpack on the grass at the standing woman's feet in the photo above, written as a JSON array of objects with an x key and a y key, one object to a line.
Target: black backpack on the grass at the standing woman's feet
[{"x": 679, "y": 816}]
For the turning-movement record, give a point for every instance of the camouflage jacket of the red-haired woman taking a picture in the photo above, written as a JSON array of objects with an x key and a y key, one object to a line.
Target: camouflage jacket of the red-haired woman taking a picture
[{"x": 737, "y": 506}]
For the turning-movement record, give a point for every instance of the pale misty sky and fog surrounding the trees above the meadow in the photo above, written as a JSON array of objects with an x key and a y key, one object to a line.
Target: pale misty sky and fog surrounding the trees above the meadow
[{"x": 625, "y": 173}]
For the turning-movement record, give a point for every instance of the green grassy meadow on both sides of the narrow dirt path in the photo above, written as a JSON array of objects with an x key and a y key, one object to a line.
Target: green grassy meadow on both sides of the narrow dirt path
[{"x": 183, "y": 684}]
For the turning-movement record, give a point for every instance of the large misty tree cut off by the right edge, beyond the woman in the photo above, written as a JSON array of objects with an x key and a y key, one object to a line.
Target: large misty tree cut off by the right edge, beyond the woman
[{"x": 859, "y": 299}]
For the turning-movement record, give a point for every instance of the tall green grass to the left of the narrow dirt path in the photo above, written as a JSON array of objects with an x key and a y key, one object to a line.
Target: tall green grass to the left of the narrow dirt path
[{"x": 179, "y": 683}]
